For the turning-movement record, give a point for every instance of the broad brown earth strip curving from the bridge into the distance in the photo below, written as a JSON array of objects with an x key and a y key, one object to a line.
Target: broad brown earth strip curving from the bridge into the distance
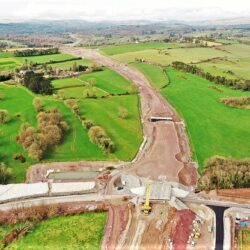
[{"x": 167, "y": 150}]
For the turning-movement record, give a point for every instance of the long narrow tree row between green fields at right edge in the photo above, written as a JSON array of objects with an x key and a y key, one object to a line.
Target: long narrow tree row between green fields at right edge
[{"x": 234, "y": 83}]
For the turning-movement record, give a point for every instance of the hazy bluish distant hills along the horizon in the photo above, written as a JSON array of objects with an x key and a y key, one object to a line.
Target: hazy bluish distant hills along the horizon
[{"x": 74, "y": 26}]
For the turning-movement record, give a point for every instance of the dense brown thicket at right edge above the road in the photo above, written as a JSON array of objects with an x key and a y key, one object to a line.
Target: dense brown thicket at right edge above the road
[{"x": 224, "y": 173}]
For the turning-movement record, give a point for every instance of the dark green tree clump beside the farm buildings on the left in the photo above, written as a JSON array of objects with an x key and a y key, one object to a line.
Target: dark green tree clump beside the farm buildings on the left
[{"x": 37, "y": 83}]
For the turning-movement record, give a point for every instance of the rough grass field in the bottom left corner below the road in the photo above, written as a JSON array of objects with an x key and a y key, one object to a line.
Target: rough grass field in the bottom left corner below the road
[{"x": 83, "y": 231}]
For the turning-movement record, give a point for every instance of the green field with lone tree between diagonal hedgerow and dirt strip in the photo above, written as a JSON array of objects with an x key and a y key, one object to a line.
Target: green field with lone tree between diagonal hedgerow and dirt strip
[{"x": 126, "y": 133}]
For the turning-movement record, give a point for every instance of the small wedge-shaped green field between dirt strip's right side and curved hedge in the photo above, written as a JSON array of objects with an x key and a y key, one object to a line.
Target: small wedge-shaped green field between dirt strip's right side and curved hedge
[{"x": 155, "y": 74}]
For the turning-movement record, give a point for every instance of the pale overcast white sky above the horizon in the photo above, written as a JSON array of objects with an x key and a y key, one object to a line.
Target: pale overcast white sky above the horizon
[{"x": 96, "y": 10}]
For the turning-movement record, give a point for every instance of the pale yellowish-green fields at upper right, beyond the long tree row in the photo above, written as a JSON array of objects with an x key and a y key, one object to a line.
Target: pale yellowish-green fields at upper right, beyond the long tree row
[{"x": 230, "y": 60}]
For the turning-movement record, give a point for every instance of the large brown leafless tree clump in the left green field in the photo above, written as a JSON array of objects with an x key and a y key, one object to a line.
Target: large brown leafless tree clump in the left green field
[{"x": 51, "y": 128}]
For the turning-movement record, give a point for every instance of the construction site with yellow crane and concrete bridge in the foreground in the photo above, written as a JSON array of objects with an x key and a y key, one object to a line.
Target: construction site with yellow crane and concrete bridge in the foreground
[{"x": 157, "y": 219}]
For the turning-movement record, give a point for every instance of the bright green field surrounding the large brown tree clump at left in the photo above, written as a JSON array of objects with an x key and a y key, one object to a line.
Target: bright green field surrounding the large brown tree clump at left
[{"x": 76, "y": 145}]
